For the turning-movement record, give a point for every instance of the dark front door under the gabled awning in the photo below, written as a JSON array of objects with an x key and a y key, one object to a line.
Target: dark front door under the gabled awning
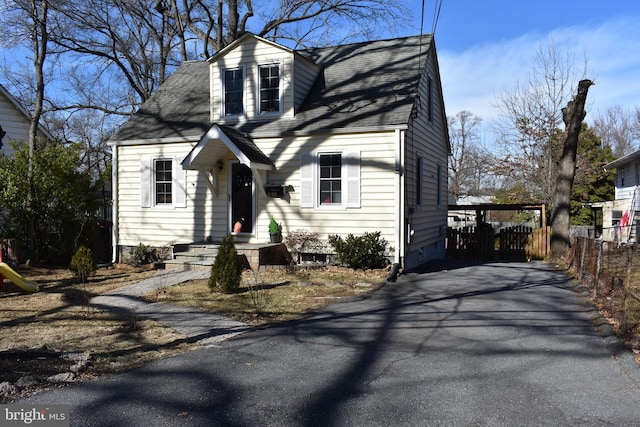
[{"x": 242, "y": 199}]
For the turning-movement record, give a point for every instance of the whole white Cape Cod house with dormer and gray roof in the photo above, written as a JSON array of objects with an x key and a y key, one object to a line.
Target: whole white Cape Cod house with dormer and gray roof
[{"x": 336, "y": 140}]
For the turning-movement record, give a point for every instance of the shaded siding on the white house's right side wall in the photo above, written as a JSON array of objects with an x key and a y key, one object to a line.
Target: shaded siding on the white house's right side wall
[{"x": 427, "y": 140}]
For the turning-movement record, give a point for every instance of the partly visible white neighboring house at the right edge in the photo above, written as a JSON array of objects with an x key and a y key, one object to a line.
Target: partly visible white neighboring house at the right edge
[{"x": 621, "y": 217}]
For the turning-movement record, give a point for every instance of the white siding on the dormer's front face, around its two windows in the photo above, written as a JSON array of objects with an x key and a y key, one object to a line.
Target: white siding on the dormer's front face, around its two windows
[{"x": 248, "y": 56}]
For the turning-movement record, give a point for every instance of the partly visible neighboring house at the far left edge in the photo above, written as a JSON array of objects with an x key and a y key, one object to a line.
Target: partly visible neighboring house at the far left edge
[{"x": 15, "y": 121}]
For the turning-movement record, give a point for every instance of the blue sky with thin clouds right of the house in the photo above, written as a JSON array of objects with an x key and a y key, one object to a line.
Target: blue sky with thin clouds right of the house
[{"x": 486, "y": 47}]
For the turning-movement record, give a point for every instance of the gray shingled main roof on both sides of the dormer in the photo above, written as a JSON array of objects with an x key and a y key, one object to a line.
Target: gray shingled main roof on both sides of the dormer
[{"x": 361, "y": 85}]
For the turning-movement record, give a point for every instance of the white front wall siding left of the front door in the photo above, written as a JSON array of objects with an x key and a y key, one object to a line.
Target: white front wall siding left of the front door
[{"x": 162, "y": 225}]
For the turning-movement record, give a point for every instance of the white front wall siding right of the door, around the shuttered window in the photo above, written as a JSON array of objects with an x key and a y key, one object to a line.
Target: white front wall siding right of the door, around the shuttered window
[{"x": 377, "y": 186}]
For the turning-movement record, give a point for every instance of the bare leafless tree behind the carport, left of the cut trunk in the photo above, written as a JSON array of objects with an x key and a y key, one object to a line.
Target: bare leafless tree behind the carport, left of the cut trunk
[{"x": 531, "y": 115}]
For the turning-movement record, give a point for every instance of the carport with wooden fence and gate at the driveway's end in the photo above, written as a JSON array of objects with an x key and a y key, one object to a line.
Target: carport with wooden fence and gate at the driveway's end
[{"x": 516, "y": 243}]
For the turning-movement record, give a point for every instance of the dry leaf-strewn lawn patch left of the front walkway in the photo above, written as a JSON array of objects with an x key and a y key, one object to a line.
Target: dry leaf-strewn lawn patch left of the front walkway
[{"x": 53, "y": 337}]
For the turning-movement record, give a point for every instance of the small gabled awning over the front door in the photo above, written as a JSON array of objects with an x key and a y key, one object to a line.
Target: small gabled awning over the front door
[{"x": 213, "y": 147}]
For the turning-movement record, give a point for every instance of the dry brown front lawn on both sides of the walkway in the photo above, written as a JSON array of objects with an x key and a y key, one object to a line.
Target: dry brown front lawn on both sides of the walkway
[{"x": 53, "y": 337}]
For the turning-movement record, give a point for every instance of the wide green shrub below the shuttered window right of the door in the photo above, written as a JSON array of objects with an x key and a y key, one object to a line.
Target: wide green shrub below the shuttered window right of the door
[{"x": 366, "y": 251}]
